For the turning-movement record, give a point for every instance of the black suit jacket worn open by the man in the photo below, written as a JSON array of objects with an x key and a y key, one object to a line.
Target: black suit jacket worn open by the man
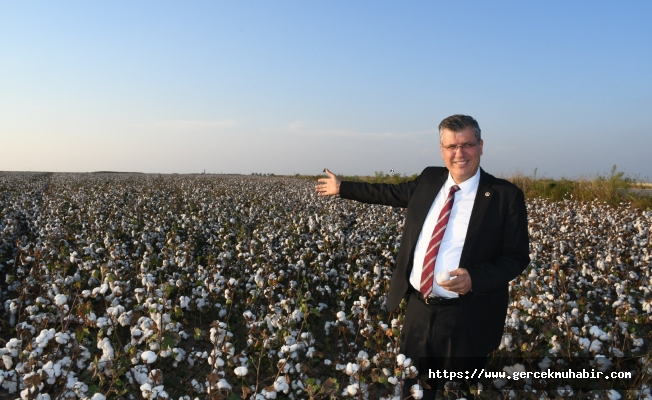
[{"x": 496, "y": 248}]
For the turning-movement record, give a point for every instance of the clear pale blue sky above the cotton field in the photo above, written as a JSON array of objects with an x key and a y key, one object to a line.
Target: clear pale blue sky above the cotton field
[{"x": 294, "y": 86}]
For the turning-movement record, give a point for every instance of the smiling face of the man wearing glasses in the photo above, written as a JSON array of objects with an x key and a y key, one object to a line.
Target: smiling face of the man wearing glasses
[{"x": 461, "y": 153}]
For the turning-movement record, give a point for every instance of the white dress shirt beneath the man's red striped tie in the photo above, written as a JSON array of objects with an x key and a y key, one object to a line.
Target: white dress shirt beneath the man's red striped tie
[{"x": 451, "y": 246}]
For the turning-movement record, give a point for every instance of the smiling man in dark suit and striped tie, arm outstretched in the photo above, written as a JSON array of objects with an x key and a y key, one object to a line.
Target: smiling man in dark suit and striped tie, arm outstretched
[{"x": 461, "y": 221}]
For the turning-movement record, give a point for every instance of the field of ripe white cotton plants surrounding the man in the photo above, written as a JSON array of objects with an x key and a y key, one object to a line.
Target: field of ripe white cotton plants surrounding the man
[{"x": 216, "y": 287}]
